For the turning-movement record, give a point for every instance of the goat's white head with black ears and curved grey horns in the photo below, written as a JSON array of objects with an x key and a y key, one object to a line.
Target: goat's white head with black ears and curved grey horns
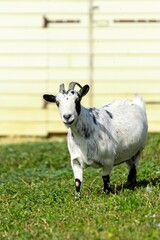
[{"x": 68, "y": 101}]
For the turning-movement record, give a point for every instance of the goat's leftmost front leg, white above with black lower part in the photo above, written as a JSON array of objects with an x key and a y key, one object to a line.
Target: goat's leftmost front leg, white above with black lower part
[{"x": 78, "y": 176}]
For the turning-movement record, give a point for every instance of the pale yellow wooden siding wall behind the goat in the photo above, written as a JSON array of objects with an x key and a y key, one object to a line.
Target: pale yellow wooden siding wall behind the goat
[{"x": 35, "y": 60}]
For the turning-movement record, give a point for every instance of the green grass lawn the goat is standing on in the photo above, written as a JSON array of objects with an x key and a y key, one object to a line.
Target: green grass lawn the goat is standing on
[{"x": 37, "y": 196}]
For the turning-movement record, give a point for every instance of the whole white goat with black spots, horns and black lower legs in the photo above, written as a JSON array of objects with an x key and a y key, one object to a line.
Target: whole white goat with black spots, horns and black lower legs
[{"x": 102, "y": 137}]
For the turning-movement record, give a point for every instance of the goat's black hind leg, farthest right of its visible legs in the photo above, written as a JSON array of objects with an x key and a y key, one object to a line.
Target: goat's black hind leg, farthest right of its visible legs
[{"x": 132, "y": 165}]
